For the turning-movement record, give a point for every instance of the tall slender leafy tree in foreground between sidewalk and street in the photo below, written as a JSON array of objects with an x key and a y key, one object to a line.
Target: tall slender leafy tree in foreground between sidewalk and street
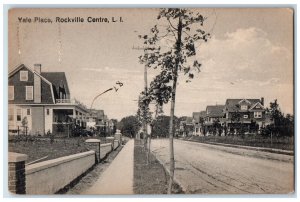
[{"x": 184, "y": 29}]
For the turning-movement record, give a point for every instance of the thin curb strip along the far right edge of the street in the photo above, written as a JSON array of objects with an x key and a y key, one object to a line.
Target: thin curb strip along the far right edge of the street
[{"x": 264, "y": 149}]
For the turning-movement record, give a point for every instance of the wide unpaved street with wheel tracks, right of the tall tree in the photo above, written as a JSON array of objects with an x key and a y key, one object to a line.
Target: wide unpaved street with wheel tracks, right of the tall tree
[{"x": 210, "y": 169}]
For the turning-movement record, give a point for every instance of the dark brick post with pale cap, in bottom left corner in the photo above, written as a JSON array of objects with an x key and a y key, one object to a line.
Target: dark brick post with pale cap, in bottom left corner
[{"x": 16, "y": 173}]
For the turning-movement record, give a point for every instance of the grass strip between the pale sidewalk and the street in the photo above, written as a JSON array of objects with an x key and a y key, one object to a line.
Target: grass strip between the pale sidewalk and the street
[{"x": 151, "y": 178}]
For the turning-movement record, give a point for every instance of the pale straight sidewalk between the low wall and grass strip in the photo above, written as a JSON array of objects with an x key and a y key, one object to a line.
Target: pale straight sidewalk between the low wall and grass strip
[{"x": 118, "y": 177}]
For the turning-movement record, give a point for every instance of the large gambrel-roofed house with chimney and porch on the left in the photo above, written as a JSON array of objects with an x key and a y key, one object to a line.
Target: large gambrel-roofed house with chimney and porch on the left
[{"x": 40, "y": 101}]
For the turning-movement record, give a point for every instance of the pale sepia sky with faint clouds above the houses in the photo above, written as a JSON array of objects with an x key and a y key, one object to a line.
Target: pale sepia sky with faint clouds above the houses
[{"x": 250, "y": 55}]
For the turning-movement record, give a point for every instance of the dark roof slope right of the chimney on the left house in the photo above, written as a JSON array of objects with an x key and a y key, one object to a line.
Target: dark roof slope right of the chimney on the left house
[{"x": 58, "y": 79}]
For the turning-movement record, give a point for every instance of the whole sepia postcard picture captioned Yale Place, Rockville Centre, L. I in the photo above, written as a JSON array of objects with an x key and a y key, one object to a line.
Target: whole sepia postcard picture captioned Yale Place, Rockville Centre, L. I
[{"x": 151, "y": 101}]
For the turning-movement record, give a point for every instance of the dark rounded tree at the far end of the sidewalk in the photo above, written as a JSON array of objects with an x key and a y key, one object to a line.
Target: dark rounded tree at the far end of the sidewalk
[{"x": 129, "y": 126}]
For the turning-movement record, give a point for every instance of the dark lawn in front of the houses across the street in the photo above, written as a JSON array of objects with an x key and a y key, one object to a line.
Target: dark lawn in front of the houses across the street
[{"x": 285, "y": 143}]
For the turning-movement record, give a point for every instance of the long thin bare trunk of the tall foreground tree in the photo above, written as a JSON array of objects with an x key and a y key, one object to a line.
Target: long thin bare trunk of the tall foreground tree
[{"x": 171, "y": 129}]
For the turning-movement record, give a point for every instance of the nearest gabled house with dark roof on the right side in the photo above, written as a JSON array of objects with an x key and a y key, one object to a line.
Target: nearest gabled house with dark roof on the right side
[{"x": 246, "y": 112}]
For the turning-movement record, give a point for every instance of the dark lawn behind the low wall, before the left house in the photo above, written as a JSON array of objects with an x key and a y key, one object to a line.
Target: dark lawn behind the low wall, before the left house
[{"x": 39, "y": 147}]
